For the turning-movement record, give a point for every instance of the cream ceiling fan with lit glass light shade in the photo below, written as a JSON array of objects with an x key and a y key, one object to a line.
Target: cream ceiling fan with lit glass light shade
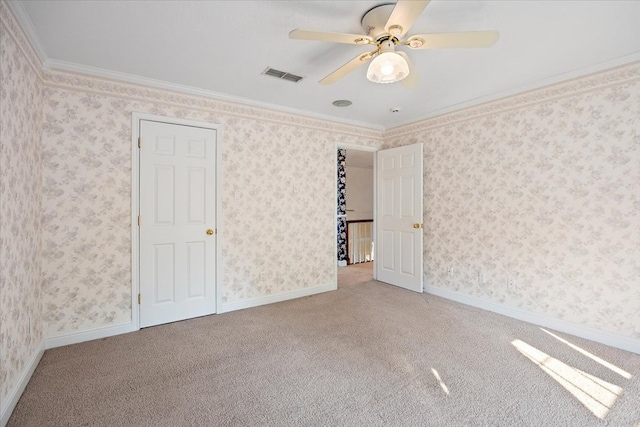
[{"x": 385, "y": 26}]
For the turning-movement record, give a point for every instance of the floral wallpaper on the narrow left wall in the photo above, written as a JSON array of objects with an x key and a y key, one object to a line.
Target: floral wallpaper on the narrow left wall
[{"x": 21, "y": 326}]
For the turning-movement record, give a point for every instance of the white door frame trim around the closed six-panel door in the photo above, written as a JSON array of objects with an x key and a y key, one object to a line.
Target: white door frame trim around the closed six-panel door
[{"x": 135, "y": 205}]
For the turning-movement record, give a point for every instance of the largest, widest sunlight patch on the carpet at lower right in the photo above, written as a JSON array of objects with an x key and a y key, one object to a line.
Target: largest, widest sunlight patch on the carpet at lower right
[{"x": 597, "y": 395}]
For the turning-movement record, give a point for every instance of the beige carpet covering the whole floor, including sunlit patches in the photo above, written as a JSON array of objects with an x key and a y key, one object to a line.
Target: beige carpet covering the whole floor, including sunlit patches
[{"x": 367, "y": 354}]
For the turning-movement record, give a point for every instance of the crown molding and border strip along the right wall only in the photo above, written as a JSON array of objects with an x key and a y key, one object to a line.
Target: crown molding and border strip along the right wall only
[{"x": 627, "y": 70}]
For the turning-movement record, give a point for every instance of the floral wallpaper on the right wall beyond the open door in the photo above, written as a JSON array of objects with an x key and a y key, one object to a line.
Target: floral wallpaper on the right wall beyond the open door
[{"x": 536, "y": 205}]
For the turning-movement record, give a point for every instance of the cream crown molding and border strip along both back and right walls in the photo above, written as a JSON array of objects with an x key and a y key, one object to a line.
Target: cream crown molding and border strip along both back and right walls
[{"x": 79, "y": 77}]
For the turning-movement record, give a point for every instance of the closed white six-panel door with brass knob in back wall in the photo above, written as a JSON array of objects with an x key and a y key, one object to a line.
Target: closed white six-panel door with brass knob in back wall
[{"x": 177, "y": 222}]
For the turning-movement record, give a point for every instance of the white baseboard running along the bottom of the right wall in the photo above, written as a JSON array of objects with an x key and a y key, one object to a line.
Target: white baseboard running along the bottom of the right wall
[{"x": 603, "y": 337}]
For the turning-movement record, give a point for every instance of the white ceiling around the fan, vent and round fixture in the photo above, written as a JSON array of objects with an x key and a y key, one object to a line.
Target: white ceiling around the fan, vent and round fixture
[{"x": 222, "y": 47}]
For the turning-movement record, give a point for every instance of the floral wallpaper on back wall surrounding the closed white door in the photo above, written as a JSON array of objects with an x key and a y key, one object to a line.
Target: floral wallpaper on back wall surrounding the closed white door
[{"x": 278, "y": 189}]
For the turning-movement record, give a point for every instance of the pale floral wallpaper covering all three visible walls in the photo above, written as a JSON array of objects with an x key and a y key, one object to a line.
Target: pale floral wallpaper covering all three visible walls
[{"x": 532, "y": 201}]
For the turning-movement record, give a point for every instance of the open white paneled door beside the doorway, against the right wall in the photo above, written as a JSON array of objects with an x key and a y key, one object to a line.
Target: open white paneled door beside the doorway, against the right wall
[{"x": 399, "y": 226}]
